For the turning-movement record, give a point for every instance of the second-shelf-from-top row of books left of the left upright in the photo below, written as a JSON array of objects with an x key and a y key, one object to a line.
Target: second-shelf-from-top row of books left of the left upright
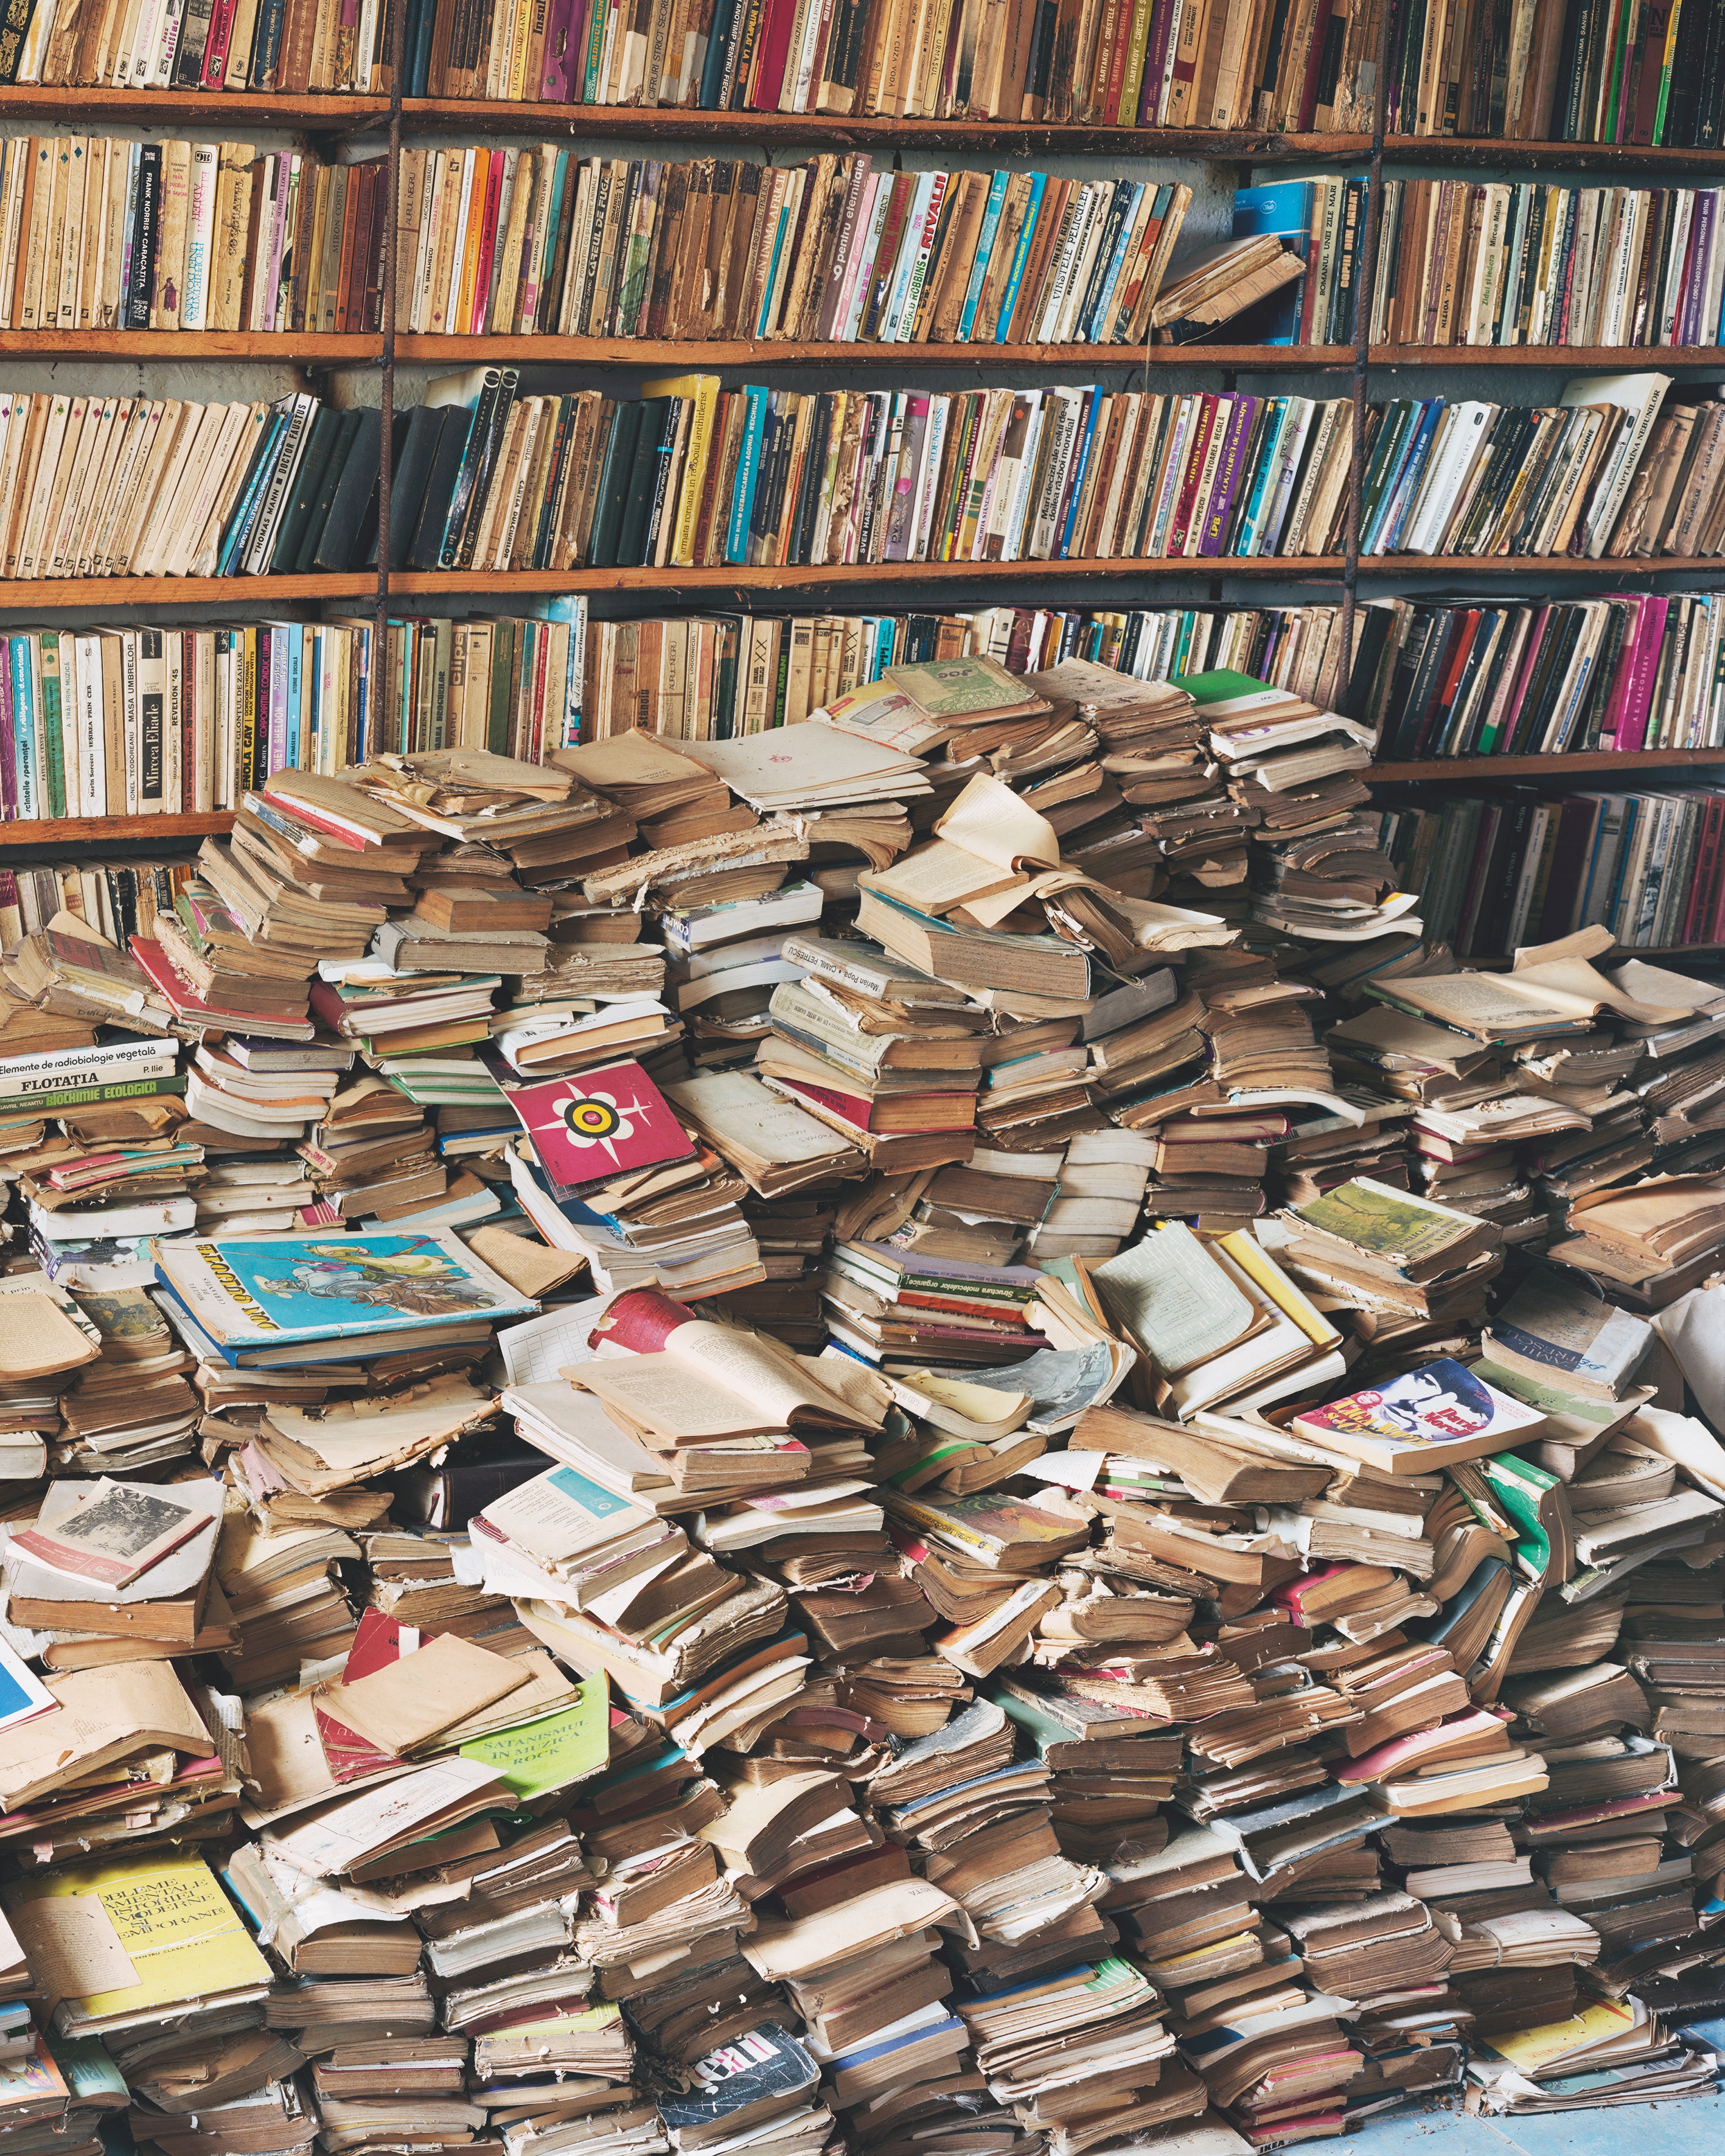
[{"x": 105, "y": 234}]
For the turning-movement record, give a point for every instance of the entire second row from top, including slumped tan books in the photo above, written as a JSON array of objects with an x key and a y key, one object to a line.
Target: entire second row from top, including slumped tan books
[{"x": 542, "y": 243}]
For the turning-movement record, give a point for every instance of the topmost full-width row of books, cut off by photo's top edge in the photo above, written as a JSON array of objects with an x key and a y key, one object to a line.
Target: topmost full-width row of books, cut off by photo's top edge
[{"x": 1517, "y": 70}]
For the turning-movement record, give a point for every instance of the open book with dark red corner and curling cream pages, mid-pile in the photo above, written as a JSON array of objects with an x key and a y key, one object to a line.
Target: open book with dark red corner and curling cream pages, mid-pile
[{"x": 689, "y": 1381}]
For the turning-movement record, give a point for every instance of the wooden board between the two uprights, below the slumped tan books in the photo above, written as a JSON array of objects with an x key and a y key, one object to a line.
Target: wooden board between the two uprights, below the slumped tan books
[{"x": 749, "y": 353}]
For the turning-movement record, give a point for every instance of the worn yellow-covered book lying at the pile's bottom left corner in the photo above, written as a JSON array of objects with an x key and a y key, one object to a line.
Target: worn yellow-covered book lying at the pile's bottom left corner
[{"x": 126, "y": 1944}]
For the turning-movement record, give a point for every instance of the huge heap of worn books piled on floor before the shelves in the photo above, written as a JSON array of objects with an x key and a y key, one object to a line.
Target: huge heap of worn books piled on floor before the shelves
[{"x": 907, "y": 1433}]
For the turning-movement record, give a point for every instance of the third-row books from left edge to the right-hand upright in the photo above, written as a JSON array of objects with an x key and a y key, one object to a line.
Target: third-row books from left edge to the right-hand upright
[{"x": 687, "y": 475}]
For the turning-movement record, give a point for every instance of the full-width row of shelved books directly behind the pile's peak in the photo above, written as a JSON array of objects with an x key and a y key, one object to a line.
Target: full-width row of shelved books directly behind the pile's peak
[{"x": 113, "y": 721}]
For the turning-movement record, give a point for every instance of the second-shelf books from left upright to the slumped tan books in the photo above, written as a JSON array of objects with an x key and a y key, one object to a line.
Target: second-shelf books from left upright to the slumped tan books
[{"x": 831, "y": 251}]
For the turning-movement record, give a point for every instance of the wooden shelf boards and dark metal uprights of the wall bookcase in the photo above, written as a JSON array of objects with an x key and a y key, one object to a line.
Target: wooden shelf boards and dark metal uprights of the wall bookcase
[{"x": 1342, "y": 577}]
